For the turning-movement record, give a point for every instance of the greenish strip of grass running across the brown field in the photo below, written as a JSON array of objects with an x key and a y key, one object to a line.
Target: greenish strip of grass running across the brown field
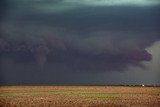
[{"x": 72, "y": 92}]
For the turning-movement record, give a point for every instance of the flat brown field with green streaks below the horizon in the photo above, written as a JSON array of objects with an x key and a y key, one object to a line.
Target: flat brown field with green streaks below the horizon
[{"x": 79, "y": 96}]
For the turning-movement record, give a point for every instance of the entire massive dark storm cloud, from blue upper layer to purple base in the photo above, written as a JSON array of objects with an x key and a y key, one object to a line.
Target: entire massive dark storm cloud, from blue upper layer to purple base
[{"x": 76, "y": 38}]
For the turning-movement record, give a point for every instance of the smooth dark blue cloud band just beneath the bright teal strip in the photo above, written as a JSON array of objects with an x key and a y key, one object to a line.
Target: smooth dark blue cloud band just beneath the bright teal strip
[{"x": 88, "y": 18}]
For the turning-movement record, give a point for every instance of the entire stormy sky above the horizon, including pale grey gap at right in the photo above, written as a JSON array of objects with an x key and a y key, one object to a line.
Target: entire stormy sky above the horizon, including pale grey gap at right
[{"x": 80, "y": 42}]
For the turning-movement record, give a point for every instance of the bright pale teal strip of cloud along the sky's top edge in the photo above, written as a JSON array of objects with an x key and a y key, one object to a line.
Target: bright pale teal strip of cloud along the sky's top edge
[{"x": 55, "y": 6}]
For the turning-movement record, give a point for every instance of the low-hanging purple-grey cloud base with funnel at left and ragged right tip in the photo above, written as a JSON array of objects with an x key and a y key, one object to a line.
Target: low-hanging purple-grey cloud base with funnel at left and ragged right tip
[{"x": 95, "y": 51}]
